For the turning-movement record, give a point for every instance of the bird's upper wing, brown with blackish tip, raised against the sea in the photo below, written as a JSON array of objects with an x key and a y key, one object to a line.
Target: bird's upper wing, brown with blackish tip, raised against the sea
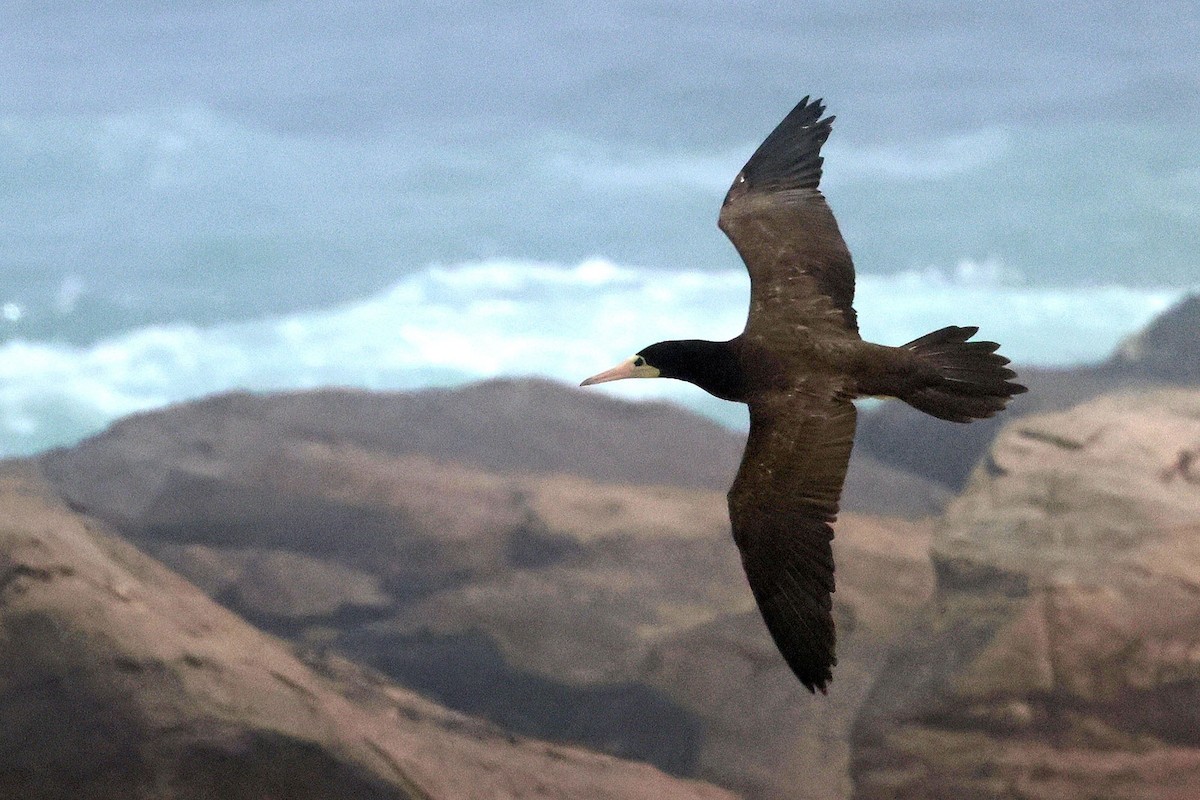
[{"x": 801, "y": 272}]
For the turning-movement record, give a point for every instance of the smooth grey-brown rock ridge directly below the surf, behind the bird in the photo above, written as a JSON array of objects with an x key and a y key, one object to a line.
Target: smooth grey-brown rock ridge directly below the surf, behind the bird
[{"x": 501, "y": 426}]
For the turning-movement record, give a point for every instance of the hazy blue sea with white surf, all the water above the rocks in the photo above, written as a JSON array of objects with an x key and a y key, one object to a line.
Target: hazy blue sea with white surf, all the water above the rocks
[{"x": 293, "y": 194}]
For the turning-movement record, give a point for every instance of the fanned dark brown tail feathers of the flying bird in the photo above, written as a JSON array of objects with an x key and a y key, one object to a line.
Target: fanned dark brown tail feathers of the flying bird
[{"x": 973, "y": 381}]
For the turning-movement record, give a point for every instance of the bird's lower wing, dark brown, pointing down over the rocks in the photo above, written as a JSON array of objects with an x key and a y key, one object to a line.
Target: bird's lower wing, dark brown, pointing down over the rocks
[{"x": 781, "y": 506}]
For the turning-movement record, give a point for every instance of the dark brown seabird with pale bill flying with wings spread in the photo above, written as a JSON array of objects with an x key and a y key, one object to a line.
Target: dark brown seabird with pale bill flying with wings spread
[{"x": 799, "y": 365}]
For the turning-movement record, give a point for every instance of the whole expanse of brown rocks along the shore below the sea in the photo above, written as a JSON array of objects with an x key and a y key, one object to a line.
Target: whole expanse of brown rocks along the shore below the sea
[{"x": 561, "y": 563}]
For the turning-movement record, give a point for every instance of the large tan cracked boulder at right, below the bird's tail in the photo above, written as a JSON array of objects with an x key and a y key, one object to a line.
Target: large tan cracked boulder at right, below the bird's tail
[{"x": 1061, "y": 655}]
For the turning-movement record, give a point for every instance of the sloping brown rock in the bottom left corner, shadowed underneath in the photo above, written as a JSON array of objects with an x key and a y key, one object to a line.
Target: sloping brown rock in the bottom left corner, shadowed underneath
[{"x": 121, "y": 681}]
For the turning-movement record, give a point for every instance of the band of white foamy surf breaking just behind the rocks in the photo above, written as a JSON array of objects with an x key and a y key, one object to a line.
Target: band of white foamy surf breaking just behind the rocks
[{"x": 452, "y": 324}]
